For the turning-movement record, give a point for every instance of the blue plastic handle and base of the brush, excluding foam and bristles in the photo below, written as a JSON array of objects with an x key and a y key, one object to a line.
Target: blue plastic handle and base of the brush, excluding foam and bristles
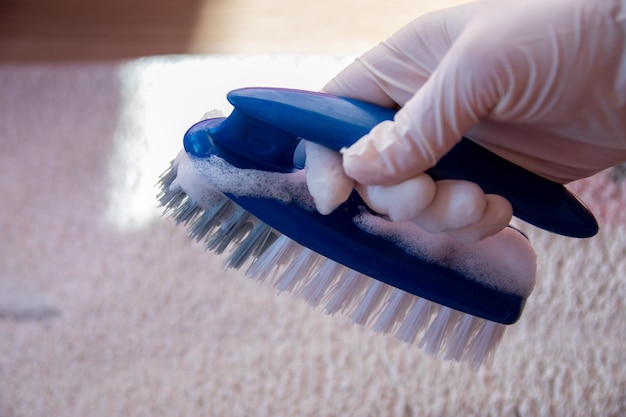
[{"x": 263, "y": 132}]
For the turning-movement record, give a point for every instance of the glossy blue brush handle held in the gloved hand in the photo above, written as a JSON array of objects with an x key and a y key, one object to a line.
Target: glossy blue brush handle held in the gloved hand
[{"x": 265, "y": 122}]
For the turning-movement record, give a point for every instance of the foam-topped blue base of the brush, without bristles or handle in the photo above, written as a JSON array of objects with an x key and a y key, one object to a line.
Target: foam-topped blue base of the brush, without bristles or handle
[{"x": 466, "y": 277}]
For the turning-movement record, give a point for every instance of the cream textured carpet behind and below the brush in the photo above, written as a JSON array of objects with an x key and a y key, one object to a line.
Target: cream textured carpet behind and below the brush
[{"x": 108, "y": 310}]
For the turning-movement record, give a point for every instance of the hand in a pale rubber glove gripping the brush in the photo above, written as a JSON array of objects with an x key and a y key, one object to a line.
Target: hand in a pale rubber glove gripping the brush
[{"x": 541, "y": 83}]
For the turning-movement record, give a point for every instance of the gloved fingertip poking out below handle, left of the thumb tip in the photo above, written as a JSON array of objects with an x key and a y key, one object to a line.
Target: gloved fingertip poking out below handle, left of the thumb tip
[{"x": 327, "y": 183}]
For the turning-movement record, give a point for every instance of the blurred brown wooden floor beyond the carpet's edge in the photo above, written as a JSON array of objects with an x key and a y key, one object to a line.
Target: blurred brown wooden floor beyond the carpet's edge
[{"x": 53, "y": 30}]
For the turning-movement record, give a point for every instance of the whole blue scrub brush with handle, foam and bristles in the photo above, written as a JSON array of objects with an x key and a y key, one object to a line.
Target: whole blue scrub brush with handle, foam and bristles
[{"x": 239, "y": 186}]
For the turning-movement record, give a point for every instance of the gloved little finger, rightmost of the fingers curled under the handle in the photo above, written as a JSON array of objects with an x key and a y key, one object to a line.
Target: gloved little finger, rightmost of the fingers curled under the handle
[{"x": 496, "y": 216}]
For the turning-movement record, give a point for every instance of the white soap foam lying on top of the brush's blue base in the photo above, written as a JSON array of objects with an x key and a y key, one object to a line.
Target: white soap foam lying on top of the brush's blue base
[{"x": 505, "y": 261}]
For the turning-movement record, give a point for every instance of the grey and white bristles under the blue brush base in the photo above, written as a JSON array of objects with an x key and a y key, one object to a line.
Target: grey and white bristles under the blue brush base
[{"x": 279, "y": 261}]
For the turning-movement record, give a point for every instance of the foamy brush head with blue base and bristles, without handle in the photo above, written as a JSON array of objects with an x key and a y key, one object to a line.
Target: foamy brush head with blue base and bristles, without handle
[{"x": 455, "y": 305}]
